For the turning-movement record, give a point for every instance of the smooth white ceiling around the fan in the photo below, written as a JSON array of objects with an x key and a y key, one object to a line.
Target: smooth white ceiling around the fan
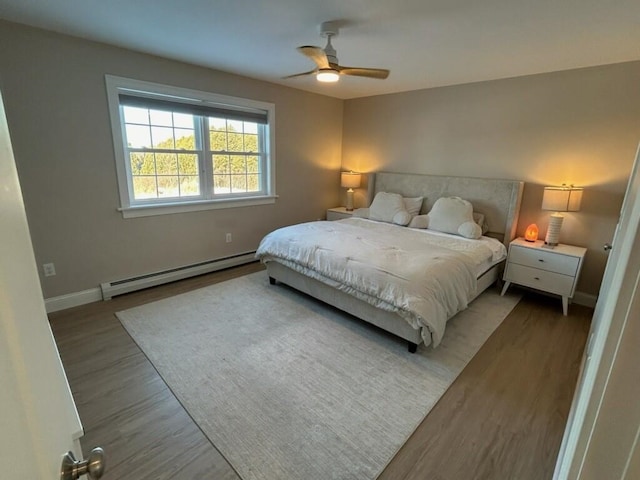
[{"x": 425, "y": 43}]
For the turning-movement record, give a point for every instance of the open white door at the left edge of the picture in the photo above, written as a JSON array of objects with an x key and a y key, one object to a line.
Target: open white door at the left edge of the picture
[{"x": 38, "y": 419}]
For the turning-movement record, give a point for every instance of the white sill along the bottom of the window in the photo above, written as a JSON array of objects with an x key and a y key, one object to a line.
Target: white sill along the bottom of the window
[{"x": 184, "y": 207}]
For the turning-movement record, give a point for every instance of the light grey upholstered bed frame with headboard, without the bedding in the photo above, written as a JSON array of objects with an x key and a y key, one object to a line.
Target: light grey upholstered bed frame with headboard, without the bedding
[{"x": 498, "y": 200}]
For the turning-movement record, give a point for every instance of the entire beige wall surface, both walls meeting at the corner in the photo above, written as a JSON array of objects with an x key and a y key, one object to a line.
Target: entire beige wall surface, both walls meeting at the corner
[{"x": 579, "y": 126}]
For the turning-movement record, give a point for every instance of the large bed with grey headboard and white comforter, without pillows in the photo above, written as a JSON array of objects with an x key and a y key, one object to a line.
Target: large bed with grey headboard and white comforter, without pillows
[{"x": 373, "y": 270}]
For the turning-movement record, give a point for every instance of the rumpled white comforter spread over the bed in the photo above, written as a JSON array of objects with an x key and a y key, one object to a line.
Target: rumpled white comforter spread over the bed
[{"x": 425, "y": 278}]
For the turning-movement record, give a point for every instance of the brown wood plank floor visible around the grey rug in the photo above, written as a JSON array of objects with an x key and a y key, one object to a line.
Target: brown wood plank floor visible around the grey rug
[{"x": 503, "y": 418}]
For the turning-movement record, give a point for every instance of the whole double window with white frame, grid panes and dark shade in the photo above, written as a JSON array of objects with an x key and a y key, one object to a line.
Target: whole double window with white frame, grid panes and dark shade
[{"x": 180, "y": 150}]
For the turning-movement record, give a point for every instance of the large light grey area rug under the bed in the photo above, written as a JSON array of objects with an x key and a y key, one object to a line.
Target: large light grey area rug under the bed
[{"x": 289, "y": 388}]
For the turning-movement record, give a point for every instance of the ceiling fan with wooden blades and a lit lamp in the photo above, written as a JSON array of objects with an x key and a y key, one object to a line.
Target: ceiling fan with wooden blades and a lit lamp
[{"x": 328, "y": 69}]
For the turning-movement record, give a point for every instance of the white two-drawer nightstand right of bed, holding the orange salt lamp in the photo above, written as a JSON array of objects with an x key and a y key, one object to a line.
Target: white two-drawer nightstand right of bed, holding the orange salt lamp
[{"x": 552, "y": 270}]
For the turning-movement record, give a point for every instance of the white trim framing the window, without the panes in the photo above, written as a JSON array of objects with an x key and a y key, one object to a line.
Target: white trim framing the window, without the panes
[{"x": 115, "y": 85}]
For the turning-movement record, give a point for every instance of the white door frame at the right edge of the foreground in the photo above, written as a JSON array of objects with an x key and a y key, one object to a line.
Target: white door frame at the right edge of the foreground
[{"x": 601, "y": 438}]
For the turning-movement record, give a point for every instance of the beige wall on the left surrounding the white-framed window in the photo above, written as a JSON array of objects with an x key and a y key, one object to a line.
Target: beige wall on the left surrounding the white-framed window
[{"x": 56, "y": 104}]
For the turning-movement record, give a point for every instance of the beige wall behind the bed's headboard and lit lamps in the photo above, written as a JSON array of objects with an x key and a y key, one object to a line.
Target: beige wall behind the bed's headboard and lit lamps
[{"x": 578, "y": 126}]
